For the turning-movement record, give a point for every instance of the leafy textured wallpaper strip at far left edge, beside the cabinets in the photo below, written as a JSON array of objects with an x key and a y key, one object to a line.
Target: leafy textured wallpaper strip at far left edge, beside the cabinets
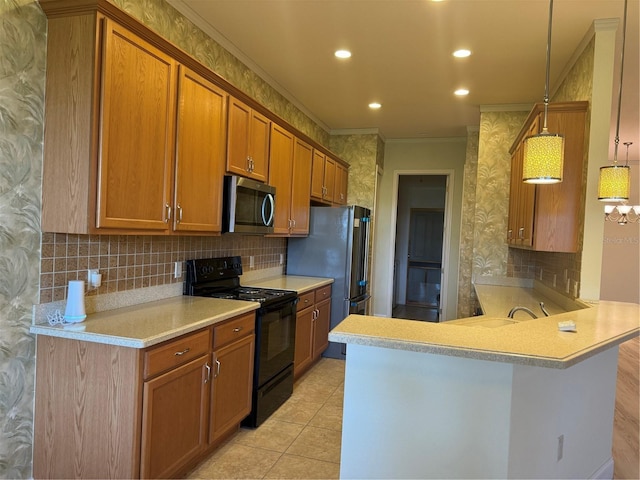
[{"x": 22, "y": 65}]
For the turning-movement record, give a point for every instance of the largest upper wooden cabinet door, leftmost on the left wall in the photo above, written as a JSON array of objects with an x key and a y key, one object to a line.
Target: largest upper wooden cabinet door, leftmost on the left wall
[{"x": 136, "y": 132}]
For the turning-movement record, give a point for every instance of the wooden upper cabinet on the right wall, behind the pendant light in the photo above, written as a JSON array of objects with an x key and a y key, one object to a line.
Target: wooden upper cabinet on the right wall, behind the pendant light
[{"x": 548, "y": 217}]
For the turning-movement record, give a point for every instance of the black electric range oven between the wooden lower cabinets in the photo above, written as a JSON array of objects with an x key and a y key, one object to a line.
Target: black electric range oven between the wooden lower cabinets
[{"x": 275, "y": 329}]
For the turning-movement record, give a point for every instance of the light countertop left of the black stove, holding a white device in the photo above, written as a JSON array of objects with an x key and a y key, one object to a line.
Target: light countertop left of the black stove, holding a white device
[{"x": 147, "y": 324}]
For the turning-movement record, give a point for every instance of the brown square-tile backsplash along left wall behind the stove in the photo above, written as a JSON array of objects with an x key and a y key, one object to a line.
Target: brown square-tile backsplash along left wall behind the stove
[{"x": 128, "y": 262}]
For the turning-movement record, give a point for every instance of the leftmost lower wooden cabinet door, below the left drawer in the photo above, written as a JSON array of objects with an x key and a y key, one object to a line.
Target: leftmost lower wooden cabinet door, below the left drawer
[{"x": 174, "y": 419}]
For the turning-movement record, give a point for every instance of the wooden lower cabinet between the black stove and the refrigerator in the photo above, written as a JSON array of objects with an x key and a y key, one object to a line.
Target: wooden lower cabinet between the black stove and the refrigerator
[{"x": 313, "y": 319}]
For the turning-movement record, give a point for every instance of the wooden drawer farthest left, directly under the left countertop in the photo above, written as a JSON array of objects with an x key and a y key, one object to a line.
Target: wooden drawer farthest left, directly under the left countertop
[{"x": 177, "y": 352}]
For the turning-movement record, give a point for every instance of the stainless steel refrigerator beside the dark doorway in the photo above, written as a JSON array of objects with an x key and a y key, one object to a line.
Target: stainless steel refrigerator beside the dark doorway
[{"x": 337, "y": 247}]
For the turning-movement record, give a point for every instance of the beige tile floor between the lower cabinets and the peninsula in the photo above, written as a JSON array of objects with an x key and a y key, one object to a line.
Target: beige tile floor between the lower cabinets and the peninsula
[{"x": 299, "y": 441}]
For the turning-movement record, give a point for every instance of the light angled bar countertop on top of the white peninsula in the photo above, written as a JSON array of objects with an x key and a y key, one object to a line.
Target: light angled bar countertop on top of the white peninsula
[{"x": 535, "y": 342}]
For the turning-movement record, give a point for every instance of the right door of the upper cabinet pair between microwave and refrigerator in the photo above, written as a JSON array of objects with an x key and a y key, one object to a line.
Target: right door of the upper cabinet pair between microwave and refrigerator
[{"x": 301, "y": 186}]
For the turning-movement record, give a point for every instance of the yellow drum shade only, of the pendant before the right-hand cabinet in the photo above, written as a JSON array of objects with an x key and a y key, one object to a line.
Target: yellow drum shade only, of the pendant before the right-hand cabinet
[{"x": 544, "y": 158}]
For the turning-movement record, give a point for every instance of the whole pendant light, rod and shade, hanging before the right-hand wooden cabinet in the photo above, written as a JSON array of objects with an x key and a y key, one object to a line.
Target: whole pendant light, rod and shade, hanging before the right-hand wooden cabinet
[{"x": 544, "y": 152}]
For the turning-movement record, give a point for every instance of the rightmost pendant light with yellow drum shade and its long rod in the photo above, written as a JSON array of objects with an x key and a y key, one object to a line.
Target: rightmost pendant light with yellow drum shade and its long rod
[{"x": 613, "y": 184}]
